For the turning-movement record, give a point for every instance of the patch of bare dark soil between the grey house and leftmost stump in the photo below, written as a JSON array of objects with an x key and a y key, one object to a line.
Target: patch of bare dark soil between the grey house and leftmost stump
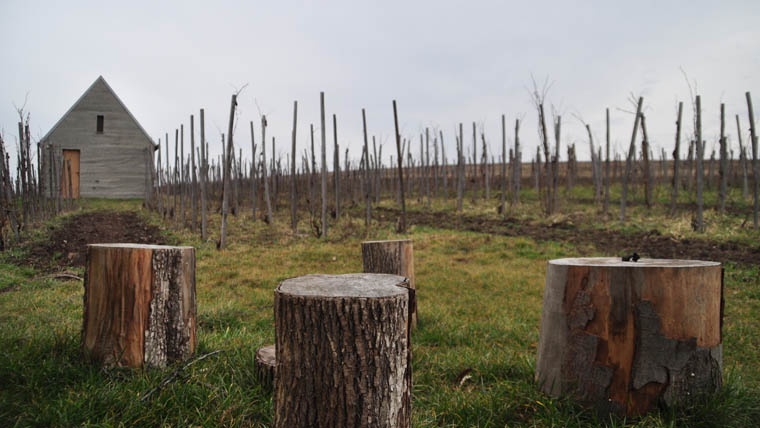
[{"x": 67, "y": 244}]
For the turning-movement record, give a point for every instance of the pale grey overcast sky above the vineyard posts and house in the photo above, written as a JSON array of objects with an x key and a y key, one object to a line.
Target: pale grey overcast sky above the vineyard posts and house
[{"x": 444, "y": 62}]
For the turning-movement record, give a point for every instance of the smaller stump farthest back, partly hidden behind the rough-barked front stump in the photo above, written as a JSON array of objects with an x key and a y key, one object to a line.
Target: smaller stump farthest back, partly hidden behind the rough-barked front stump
[{"x": 393, "y": 257}]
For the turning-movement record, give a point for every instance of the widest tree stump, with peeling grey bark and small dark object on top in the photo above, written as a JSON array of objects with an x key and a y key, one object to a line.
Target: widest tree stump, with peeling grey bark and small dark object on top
[{"x": 624, "y": 336}]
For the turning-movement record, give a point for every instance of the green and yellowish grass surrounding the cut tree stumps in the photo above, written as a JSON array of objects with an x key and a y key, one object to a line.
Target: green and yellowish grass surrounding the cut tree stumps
[{"x": 479, "y": 298}]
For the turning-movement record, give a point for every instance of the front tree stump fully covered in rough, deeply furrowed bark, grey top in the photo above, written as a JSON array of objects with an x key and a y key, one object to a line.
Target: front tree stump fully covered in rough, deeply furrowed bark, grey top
[{"x": 343, "y": 351}]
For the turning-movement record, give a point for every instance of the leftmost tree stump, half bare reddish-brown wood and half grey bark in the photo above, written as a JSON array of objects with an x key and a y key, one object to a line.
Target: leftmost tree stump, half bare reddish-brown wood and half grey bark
[{"x": 139, "y": 304}]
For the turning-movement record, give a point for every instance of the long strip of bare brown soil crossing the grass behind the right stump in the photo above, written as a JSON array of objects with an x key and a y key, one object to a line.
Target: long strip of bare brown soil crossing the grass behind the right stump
[{"x": 648, "y": 244}]
